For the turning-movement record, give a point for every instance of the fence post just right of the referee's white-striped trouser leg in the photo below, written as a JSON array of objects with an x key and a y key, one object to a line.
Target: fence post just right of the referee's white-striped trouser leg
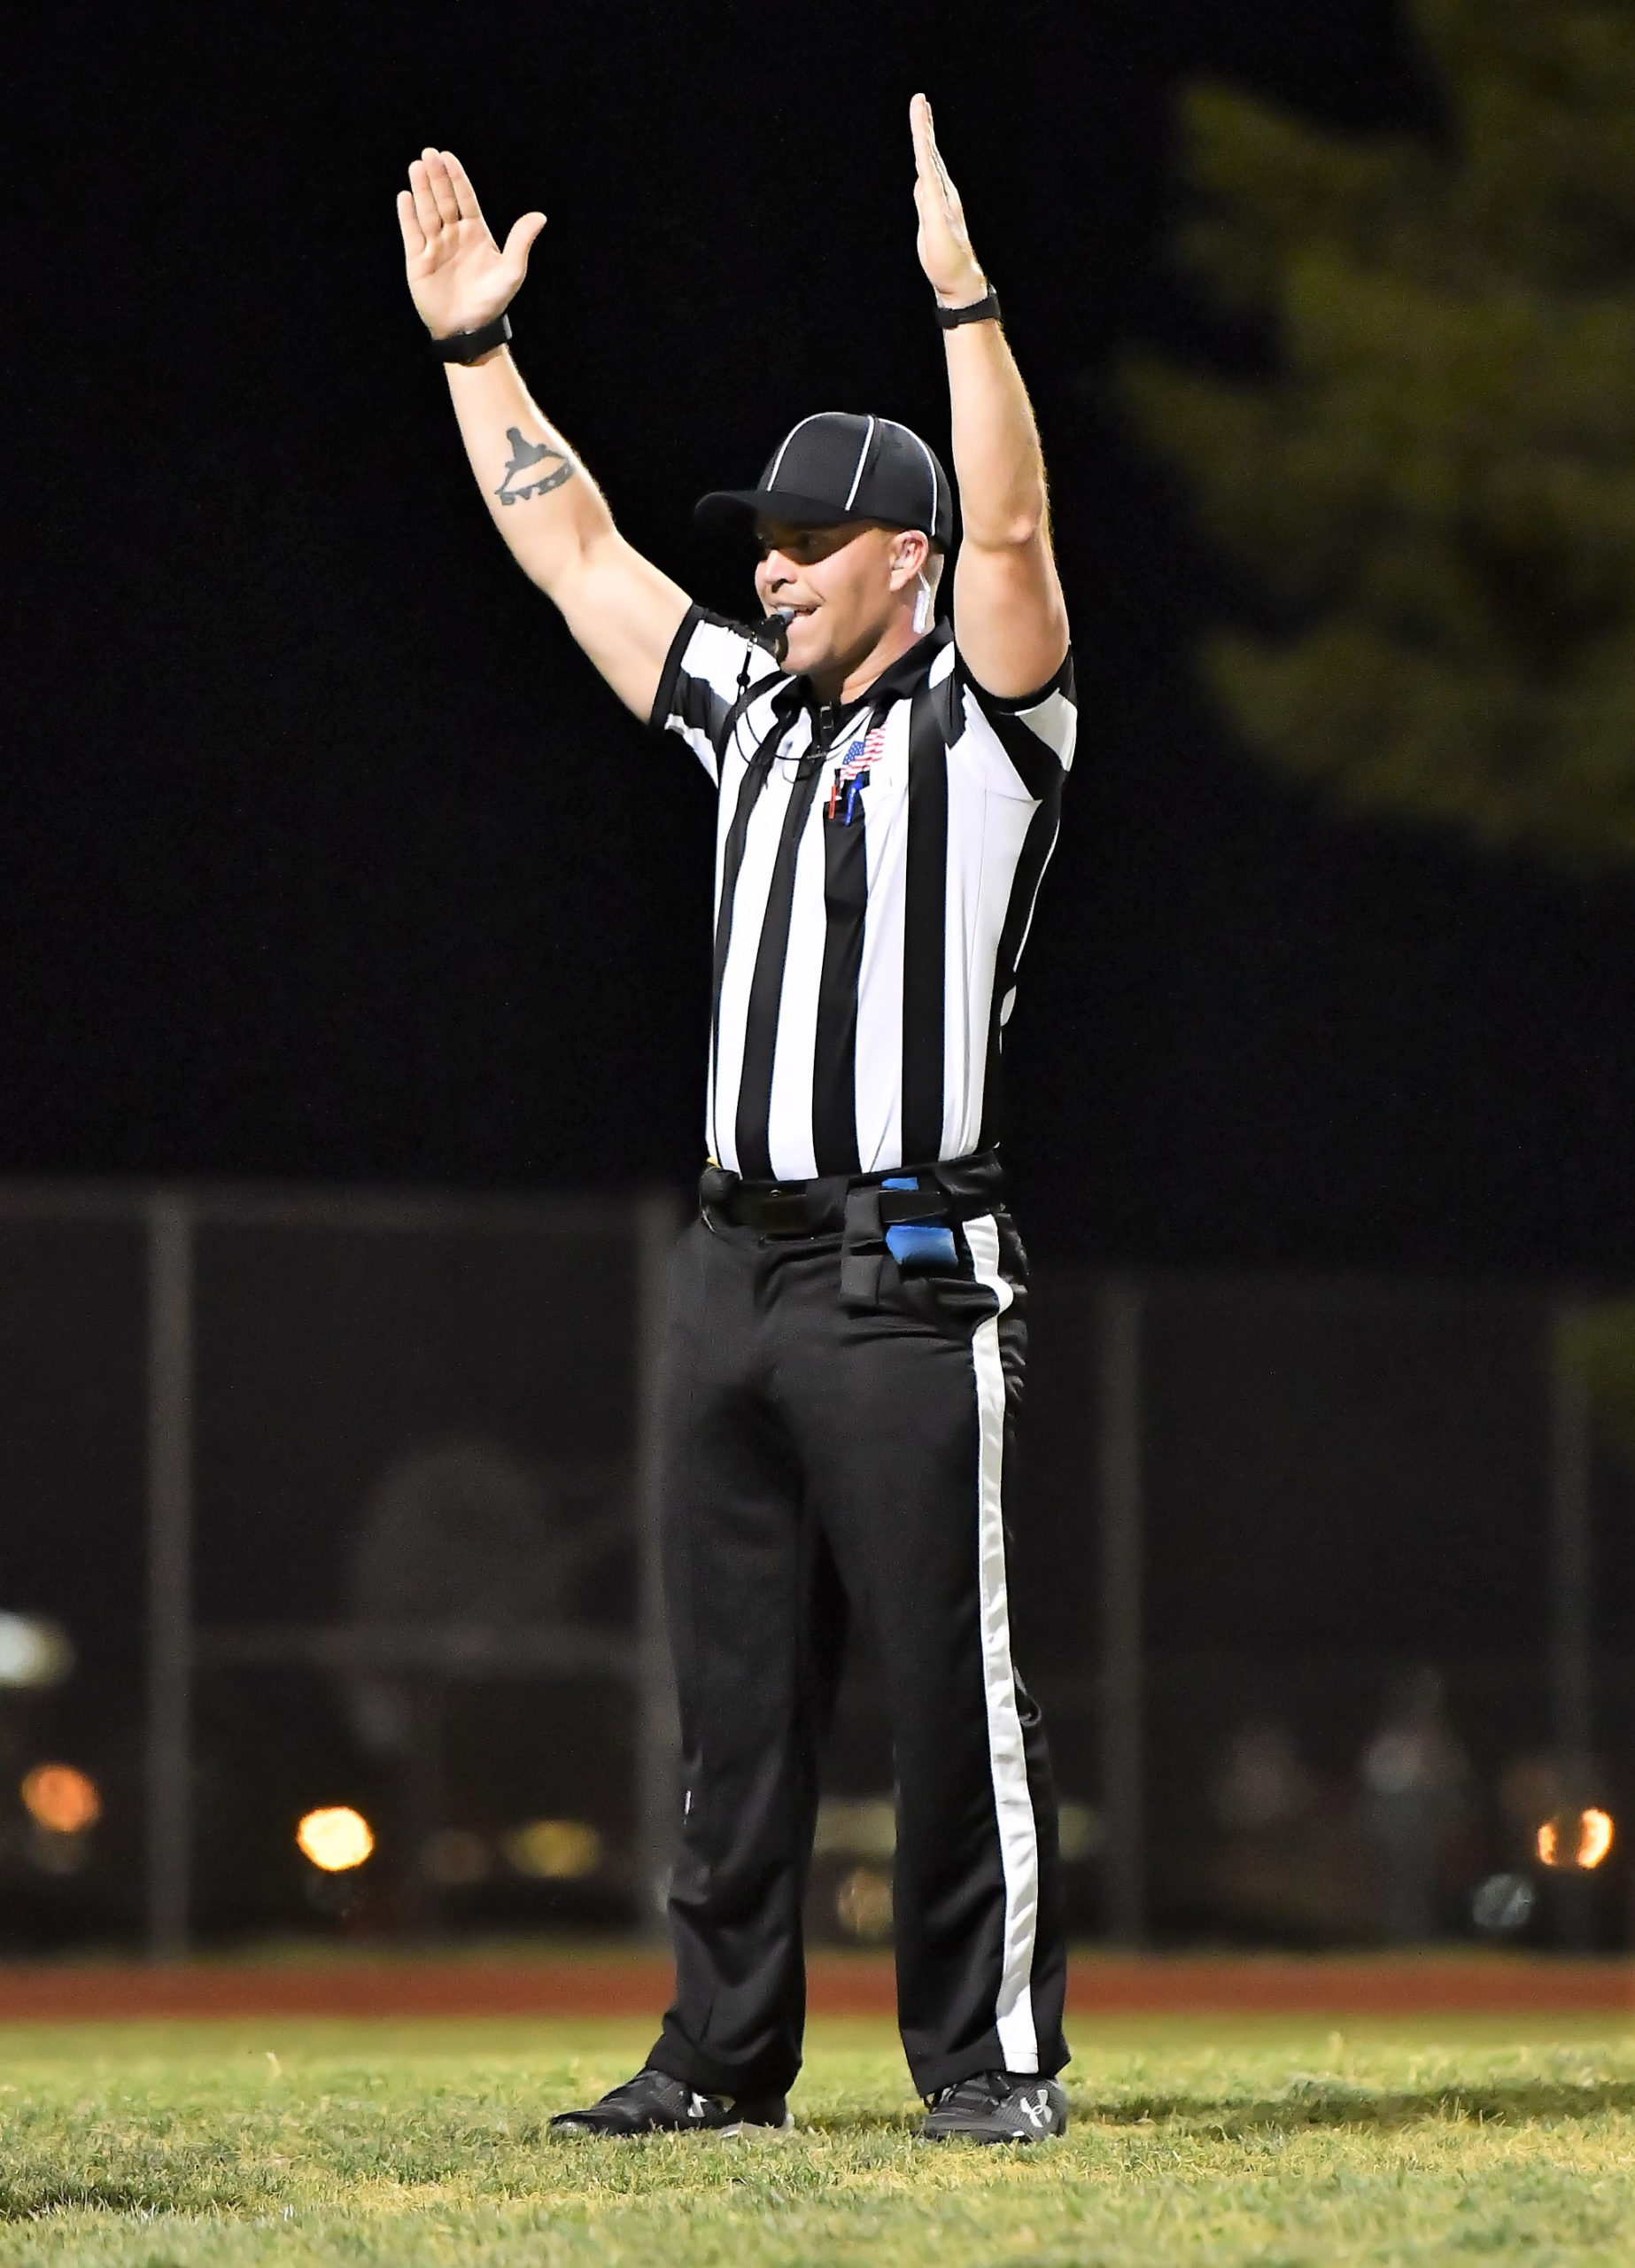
[{"x": 1119, "y": 1473}]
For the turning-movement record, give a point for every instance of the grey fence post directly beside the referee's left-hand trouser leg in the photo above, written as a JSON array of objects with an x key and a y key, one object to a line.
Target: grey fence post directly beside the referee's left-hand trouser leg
[{"x": 659, "y": 1734}]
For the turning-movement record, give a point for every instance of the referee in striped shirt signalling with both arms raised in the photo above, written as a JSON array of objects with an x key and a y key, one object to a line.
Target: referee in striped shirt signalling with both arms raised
[{"x": 847, "y": 1330}]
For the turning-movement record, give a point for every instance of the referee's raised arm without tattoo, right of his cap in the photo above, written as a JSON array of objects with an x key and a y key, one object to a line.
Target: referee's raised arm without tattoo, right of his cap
[{"x": 1010, "y": 616}]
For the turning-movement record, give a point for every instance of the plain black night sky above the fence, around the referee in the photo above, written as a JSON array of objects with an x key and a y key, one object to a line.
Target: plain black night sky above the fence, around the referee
[{"x": 325, "y": 854}]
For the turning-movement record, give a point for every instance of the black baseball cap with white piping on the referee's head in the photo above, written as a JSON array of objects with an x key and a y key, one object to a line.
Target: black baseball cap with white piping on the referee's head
[{"x": 836, "y": 468}]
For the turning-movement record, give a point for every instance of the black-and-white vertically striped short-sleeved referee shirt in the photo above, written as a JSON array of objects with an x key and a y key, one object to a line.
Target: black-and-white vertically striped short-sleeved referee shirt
[{"x": 874, "y": 883}]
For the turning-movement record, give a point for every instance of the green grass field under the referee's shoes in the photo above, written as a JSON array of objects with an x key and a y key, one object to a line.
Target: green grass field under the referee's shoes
[{"x": 155, "y": 2147}]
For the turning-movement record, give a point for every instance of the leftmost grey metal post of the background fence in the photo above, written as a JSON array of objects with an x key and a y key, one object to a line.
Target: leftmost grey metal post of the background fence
[{"x": 169, "y": 1573}]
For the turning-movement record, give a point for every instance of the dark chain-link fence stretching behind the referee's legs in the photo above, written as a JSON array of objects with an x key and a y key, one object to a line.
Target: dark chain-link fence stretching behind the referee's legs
[{"x": 350, "y": 1500}]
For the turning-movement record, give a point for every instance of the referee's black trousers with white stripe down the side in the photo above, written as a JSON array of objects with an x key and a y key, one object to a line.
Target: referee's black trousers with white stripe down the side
[{"x": 822, "y": 1457}]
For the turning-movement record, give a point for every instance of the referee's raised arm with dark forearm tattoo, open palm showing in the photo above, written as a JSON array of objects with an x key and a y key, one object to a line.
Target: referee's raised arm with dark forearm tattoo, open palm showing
[{"x": 620, "y": 609}]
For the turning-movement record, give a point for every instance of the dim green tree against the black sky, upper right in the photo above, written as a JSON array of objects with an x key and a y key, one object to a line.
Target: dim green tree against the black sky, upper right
[{"x": 1434, "y": 477}]
